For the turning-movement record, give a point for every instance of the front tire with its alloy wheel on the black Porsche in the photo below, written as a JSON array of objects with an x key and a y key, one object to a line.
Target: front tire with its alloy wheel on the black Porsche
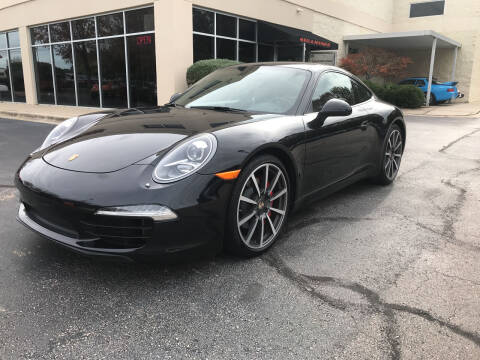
[{"x": 252, "y": 225}]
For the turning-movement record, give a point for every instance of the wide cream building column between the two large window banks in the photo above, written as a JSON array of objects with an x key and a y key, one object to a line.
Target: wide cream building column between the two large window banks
[{"x": 173, "y": 46}]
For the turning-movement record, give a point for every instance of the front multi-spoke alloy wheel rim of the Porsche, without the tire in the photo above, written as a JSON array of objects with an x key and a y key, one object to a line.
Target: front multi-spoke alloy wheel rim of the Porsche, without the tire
[{"x": 262, "y": 206}]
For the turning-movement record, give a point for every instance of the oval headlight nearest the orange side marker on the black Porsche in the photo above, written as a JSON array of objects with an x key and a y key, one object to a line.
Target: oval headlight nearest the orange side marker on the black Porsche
[{"x": 185, "y": 159}]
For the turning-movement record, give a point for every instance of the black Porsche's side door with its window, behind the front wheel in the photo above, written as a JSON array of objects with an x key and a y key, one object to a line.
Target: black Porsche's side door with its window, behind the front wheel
[{"x": 333, "y": 150}]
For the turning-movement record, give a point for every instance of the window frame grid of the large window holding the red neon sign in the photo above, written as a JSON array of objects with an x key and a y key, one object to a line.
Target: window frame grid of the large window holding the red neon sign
[{"x": 96, "y": 38}]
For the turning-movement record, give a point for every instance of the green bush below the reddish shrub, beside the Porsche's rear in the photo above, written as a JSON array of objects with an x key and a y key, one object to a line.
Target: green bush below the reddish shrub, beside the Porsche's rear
[{"x": 406, "y": 96}]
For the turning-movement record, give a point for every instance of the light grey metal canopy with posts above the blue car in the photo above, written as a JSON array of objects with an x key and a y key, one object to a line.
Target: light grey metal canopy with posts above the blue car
[{"x": 411, "y": 40}]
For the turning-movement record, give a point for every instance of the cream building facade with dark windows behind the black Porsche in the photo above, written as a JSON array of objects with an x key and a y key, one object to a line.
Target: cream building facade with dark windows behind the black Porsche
[{"x": 130, "y": 53}]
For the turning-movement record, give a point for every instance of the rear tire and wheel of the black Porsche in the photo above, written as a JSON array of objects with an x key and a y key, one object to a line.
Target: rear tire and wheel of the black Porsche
[{"x": 390, "y": 160}]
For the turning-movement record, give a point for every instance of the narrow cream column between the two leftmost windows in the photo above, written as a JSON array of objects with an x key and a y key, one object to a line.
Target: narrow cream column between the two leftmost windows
[{"x": 27, "y": 65}]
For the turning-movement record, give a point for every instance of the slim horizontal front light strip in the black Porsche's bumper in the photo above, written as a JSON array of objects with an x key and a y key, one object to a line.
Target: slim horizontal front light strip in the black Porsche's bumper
[{"x": 155, "y": 212}]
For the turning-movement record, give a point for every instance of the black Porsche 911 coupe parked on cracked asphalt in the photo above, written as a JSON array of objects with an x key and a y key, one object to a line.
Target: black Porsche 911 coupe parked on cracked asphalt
[{"x": 221, "y": 166}]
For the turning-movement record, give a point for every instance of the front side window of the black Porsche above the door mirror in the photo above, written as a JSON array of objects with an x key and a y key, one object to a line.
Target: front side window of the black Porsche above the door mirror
[{"x": 332, "y": 86}]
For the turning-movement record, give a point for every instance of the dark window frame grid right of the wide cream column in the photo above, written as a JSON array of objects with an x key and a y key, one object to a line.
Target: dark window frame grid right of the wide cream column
[{"x": 237, "y": 39}]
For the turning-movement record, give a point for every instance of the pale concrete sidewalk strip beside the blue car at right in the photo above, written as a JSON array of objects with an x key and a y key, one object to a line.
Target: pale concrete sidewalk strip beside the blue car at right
[{"x": 448, "y": 110}]
